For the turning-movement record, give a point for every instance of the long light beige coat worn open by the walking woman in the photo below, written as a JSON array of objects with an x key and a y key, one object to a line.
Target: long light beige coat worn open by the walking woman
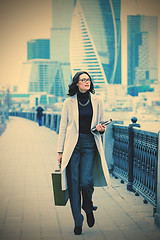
[{"x": 68, "y": 137}]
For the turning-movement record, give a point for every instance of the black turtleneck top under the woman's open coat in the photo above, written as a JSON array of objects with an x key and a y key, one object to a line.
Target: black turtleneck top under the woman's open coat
[{"x": 85, "y": 112}]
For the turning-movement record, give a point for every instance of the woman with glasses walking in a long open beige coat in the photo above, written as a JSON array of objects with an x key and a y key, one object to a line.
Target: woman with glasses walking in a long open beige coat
[{"x": 80, "y": 152}]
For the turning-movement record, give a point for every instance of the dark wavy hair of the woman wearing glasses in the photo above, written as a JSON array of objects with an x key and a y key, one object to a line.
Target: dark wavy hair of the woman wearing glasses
[{"x": 73, "y": 88}]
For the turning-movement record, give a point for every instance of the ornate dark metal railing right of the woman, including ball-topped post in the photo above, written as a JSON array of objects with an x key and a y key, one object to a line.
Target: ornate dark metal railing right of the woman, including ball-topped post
[{"x": 135, "y": 155}]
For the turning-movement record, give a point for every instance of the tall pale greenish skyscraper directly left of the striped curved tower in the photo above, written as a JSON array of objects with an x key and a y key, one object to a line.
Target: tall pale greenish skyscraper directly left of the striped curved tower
[{"x": 60, "y": 37}]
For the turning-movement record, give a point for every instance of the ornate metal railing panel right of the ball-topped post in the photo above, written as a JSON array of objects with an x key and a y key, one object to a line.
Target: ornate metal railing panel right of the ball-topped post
[{"x": 145, "y": 164}]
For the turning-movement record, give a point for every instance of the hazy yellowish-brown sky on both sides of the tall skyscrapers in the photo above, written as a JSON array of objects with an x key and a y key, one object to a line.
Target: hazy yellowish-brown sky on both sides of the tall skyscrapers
[{"x": 13, "y": 56}]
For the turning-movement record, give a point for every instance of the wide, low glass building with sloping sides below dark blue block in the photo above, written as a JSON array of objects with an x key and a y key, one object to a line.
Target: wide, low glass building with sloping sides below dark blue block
[{"x": 41, "y": 76}]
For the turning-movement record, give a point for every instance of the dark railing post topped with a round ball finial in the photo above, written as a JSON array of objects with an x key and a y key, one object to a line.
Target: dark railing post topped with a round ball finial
[{"x": 131, "y": 153}]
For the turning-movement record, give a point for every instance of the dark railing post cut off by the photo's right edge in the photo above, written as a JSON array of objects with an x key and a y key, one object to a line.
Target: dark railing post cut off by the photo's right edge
[{"x": 157, "y": 214}]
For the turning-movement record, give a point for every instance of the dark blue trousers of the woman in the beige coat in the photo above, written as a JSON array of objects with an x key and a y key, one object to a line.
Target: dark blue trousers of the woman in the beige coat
[{"x": 79, "y": 176}]
